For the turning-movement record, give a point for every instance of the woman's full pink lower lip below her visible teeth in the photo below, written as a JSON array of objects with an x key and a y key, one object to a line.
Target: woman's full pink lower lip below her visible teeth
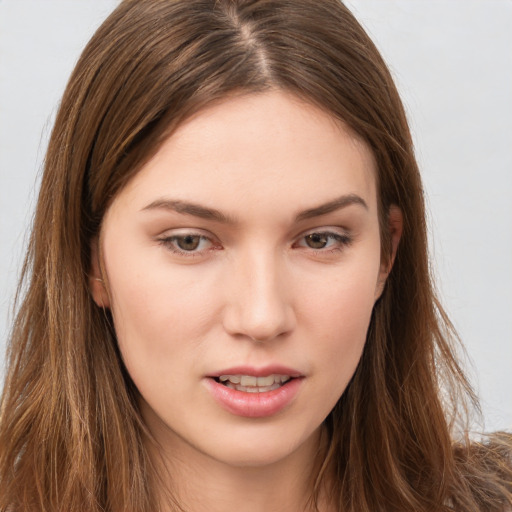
[{"x": 254, "y": 405}]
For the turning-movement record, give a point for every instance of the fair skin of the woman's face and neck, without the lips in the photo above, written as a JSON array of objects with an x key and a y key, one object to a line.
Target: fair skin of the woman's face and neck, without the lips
[{"x": 253, "y": 292}]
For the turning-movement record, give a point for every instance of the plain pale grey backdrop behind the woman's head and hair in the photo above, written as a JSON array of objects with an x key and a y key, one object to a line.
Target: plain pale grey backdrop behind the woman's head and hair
[{"x": 452, "y": 61}]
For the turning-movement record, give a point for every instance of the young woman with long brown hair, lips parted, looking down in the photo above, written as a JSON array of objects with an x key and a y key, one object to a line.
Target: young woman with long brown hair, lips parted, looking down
[{"x": 228, "y": 301}]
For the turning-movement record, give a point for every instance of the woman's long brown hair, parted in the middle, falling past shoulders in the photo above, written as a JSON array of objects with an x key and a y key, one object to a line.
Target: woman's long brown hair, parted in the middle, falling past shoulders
[{"x": 71, "y": 437}]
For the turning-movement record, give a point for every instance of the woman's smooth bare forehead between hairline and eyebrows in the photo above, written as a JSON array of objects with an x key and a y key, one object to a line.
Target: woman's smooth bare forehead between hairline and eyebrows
[{"x": 258, "y": 150}]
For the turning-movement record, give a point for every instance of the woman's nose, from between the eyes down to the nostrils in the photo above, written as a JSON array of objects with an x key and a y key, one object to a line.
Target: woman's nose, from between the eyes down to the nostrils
[{"x": 258, "y": 305}]
